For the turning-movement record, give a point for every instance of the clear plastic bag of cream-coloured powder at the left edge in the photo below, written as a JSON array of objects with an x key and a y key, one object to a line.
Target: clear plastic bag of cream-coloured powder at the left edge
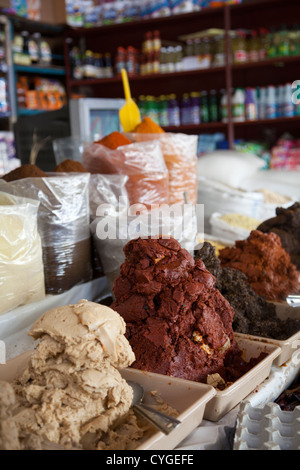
[{"x": 21, "y": 261}]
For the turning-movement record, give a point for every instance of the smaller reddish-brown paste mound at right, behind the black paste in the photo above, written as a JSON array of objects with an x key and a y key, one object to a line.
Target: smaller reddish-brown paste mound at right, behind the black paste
[{"x": 266, "y": 264}]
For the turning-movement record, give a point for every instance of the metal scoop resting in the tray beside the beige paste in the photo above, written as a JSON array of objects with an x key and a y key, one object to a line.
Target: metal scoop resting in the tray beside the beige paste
[{"x": 163, "y": 422}]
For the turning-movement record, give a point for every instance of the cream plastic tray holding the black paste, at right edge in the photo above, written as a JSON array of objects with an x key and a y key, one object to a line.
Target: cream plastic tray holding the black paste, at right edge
[{"x": 290, "y": 346}]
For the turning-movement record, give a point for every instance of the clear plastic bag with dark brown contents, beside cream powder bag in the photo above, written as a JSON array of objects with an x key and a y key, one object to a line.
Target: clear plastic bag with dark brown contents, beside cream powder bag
[{"x": 63, "y": 223}]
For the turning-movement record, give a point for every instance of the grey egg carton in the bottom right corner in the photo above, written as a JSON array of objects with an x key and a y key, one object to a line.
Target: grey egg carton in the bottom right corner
[{"x": 267, "y": 428}]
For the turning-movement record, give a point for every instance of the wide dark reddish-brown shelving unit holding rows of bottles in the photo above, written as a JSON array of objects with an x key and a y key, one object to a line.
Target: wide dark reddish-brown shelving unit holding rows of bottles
[{"x": 249, "y": 15}]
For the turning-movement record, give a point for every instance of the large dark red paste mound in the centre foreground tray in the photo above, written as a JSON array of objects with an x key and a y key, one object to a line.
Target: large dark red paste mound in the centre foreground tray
[{"x": 178, "y": 324}]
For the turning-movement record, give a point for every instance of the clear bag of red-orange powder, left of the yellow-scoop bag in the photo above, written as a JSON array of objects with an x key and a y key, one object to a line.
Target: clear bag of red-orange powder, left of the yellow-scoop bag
[{"x": 143, "y": 163}]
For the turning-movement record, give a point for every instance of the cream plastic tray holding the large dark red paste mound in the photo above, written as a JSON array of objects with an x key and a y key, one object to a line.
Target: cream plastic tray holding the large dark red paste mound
[{"x": 226, "y": 400}]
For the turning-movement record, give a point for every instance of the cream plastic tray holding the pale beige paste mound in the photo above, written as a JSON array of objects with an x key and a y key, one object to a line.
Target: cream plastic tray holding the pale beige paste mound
[{"x": 188, "y": 398}]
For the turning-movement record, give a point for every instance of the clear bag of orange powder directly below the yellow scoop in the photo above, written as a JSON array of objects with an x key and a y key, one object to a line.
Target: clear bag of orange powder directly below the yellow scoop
[{"x": 180, "y": 155}]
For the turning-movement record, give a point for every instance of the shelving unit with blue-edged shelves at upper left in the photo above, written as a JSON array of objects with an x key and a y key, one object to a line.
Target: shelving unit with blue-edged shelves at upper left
[{"x": 25, "y": 122}]
